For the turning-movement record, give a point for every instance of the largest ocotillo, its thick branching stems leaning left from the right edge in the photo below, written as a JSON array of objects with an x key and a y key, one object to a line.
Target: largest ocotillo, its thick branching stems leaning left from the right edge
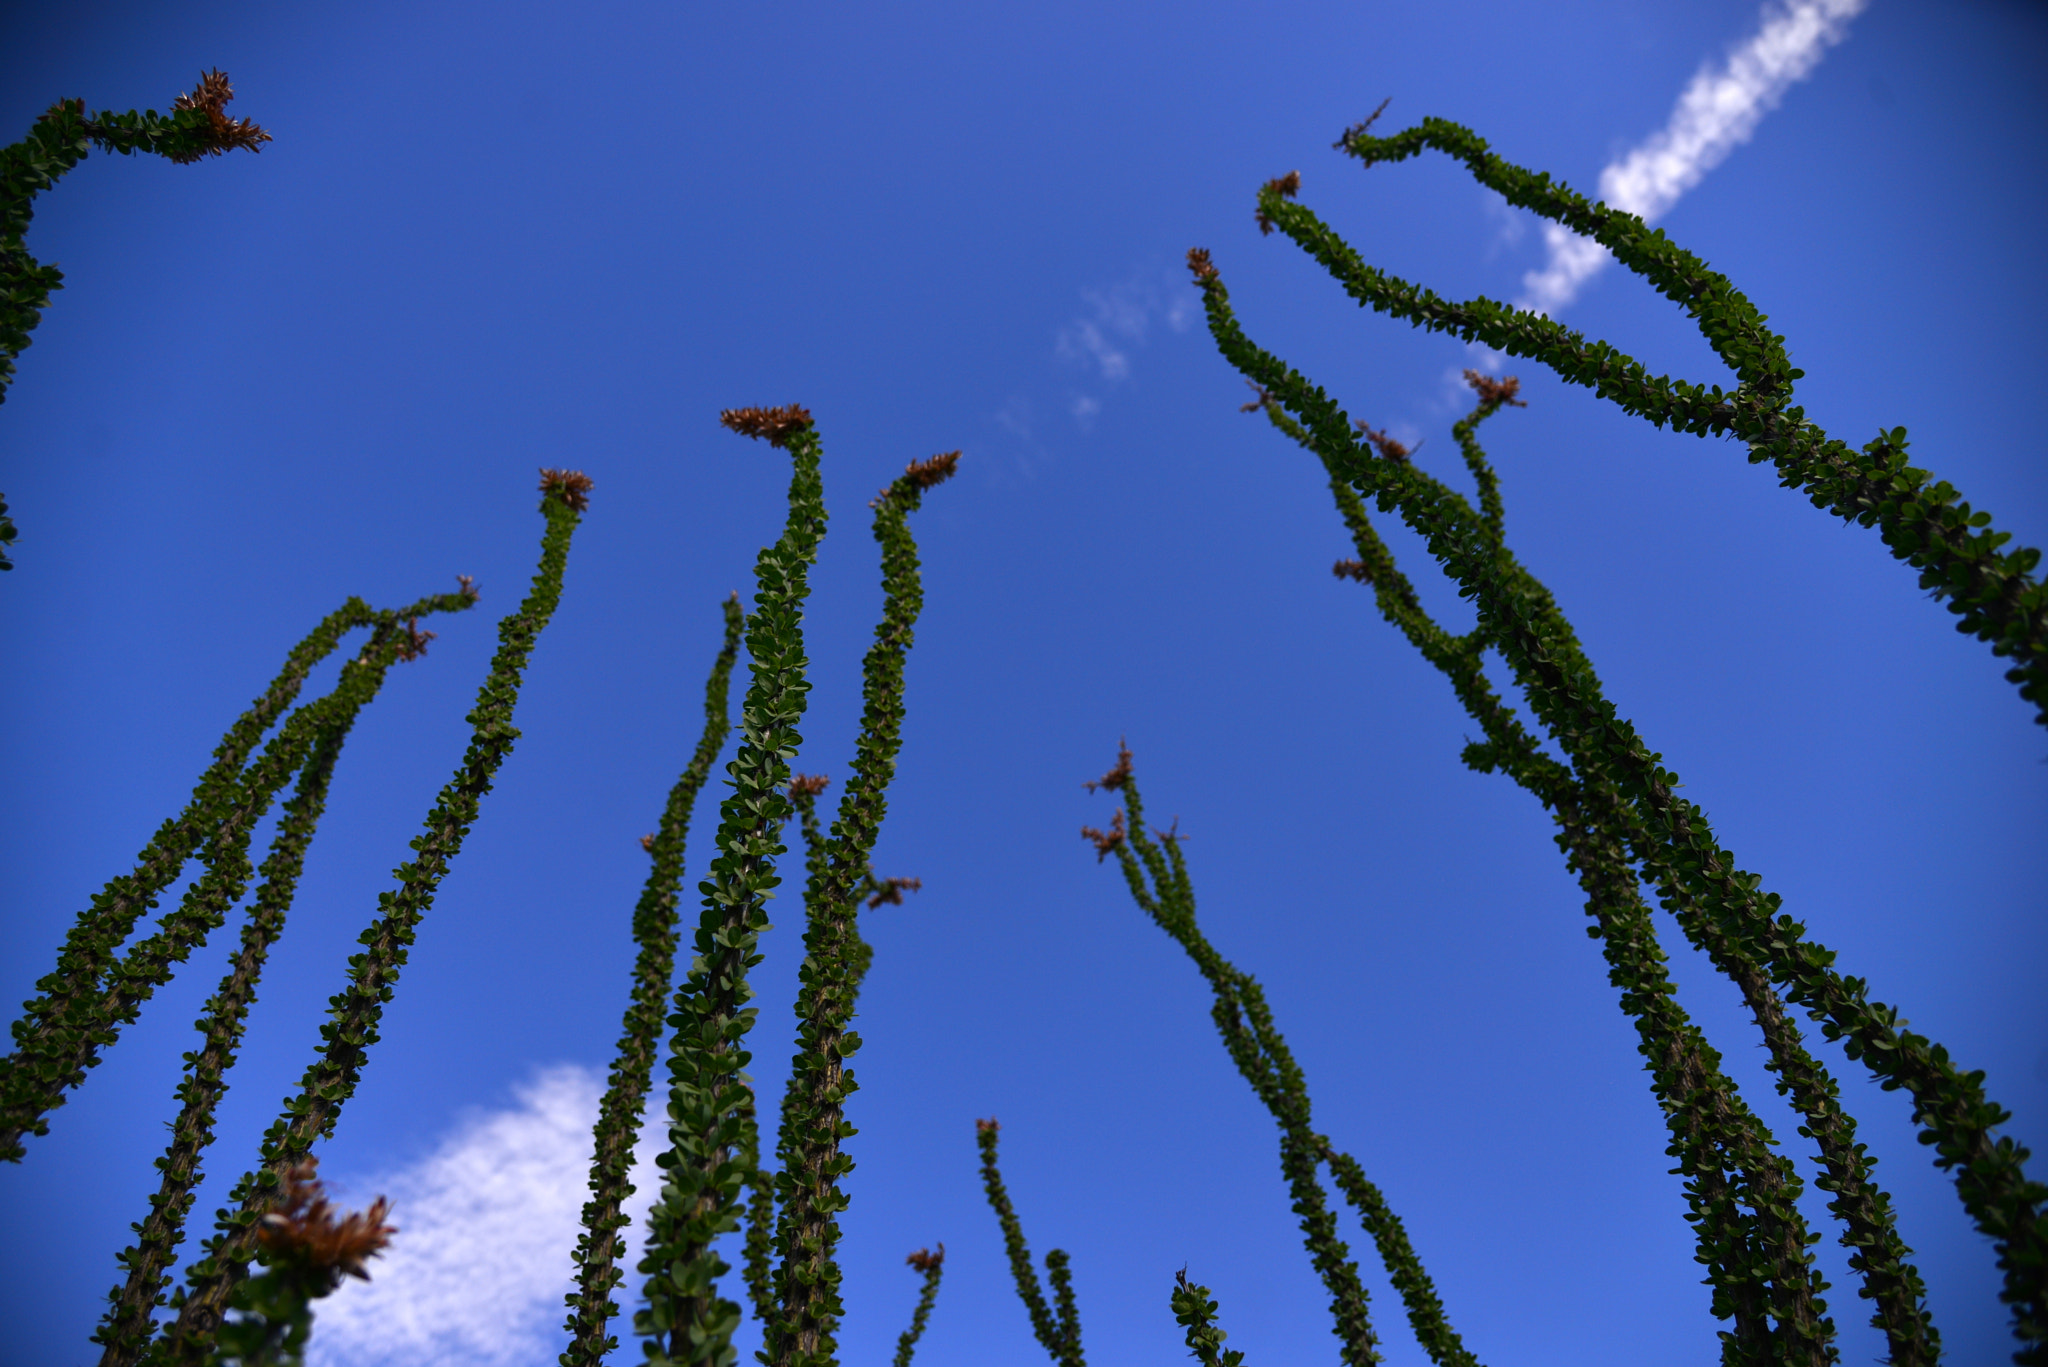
[{"x": 1619, "y": 817}]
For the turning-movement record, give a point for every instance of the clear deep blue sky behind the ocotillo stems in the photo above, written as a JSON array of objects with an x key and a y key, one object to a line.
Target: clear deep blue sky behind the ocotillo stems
[{"x": 493, "y": 239}]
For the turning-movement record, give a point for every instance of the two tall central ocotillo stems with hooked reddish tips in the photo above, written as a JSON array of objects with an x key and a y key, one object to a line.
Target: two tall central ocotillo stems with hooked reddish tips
[{"x": 714, "y": 1151}]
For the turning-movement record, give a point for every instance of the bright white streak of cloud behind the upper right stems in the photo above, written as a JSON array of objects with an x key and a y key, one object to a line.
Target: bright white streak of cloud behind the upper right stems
[{"x": 1715, "y": 116}]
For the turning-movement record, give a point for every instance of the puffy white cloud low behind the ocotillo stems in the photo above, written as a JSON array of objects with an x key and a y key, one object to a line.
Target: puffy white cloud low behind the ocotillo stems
[{"x": 486, "y": 1223}]
